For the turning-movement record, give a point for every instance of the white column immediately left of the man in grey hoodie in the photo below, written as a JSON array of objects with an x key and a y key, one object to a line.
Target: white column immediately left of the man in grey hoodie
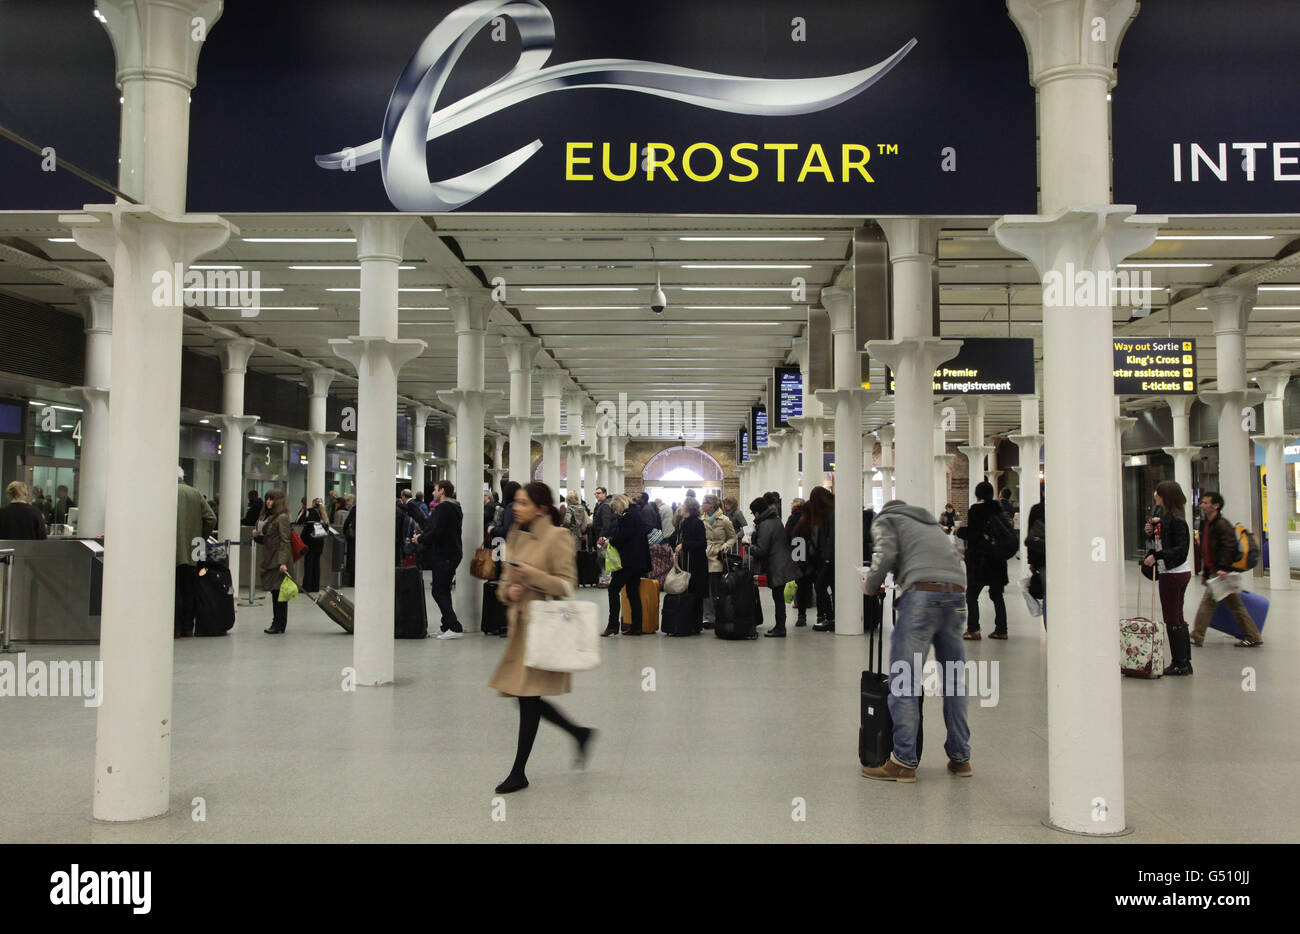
[{"x": 850, "y": 400}]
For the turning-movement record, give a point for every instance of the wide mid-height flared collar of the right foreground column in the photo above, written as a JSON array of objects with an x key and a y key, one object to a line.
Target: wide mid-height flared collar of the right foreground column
[{"x": 1103, "y": 235}]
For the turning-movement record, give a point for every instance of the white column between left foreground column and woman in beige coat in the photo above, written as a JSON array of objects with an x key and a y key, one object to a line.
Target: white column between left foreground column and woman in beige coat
[{"x": 378, "y": 354}]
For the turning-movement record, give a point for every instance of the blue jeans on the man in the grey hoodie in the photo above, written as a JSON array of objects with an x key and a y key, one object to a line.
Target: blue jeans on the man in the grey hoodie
[{"x": 928, "y": 617}]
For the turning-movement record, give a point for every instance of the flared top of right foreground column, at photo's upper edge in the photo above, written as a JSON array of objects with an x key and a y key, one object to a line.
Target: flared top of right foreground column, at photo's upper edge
[{"x": 1064, "y": 37}]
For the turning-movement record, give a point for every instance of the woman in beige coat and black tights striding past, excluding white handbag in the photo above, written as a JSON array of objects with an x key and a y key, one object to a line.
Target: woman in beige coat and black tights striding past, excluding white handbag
[{"x": 539, "y": 567}]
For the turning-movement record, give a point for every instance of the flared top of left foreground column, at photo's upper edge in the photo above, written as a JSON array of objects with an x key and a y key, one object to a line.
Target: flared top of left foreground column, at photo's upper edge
[{"x": 155, "y": 38}]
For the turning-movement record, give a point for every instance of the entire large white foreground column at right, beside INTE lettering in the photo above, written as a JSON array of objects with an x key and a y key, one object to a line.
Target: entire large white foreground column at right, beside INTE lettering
[{"x": 1072, "y": 64}]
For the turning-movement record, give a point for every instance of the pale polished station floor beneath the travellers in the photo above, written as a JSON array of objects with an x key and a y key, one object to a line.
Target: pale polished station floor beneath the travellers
[{"x": 733, "y": 734}]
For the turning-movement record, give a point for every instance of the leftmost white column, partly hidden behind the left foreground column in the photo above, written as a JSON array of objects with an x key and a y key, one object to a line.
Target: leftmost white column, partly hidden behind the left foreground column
[{"x": 98, "y": 308}]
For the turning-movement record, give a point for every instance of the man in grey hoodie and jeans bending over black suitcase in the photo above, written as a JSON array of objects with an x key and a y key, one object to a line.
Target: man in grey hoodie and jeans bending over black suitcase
[{"x": 931, "y": 609}]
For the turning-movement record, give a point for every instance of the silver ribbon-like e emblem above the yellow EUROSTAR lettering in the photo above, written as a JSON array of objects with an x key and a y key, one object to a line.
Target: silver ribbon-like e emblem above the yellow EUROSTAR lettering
[{"x": 413, "y": 118}]
